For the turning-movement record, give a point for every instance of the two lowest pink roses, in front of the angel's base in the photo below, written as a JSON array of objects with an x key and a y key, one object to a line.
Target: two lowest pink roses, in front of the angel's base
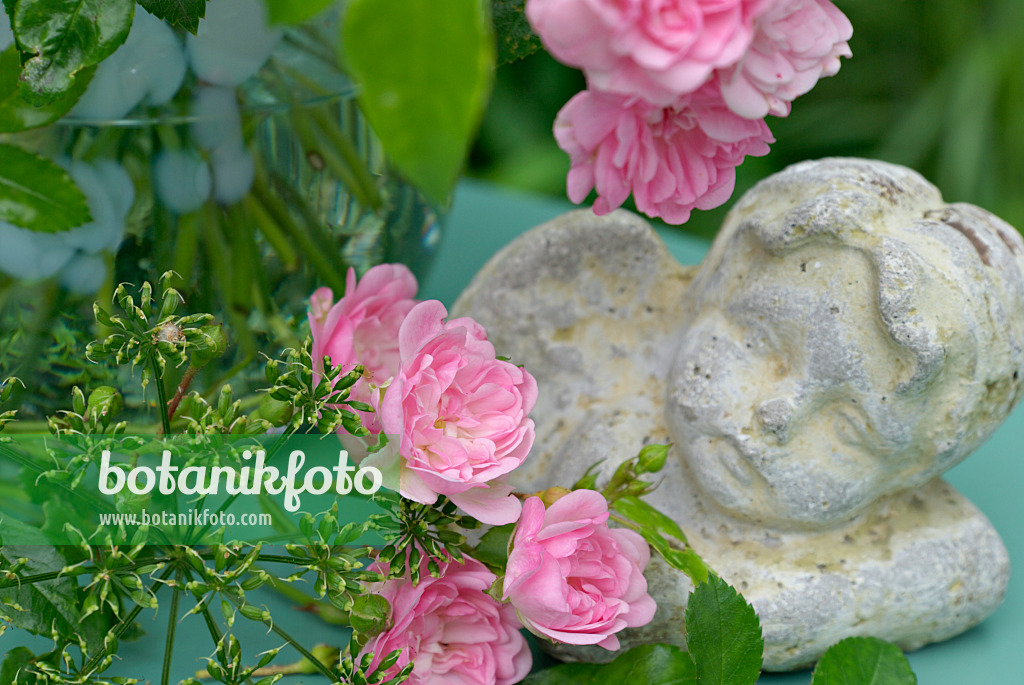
[{"x": 570, "y": 579}]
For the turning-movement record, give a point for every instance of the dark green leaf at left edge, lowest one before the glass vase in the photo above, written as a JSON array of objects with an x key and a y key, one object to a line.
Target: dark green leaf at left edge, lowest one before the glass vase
[{"x": 37, "y": 195}]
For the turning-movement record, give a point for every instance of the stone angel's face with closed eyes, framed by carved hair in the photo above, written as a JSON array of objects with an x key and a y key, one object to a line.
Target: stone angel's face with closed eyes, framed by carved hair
[{"x": 786, "y": 398}]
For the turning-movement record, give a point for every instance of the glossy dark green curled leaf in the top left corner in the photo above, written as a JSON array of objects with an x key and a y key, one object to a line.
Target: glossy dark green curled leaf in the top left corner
[{"x": 65, "y": 37}]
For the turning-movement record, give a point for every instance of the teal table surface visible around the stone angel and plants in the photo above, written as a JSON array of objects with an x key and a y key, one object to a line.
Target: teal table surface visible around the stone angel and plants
[{"x": 485, "y": 220}]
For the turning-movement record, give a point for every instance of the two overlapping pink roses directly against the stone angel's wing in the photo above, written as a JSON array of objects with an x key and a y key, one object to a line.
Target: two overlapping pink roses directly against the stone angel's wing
[{"x": 455, "y": 414}]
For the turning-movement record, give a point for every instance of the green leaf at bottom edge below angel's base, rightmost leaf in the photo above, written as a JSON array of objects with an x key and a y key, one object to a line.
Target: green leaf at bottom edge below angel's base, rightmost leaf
[{"x": 864, "y": 662}]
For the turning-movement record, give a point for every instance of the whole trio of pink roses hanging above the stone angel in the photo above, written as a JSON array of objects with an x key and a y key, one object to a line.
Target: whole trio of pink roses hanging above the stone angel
[{"x": 678, "y": 91}]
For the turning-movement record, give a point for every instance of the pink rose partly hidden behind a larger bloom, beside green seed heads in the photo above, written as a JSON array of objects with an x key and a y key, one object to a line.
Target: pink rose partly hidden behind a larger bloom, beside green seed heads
[{"x": 363, "y": 328}]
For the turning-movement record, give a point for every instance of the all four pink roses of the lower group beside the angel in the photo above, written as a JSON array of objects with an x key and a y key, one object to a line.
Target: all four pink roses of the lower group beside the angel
[{"x": 455, "y": 416}]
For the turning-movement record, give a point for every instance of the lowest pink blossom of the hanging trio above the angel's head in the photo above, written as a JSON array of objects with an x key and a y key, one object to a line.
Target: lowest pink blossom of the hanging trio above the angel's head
[{"x": 672, "y": 159}]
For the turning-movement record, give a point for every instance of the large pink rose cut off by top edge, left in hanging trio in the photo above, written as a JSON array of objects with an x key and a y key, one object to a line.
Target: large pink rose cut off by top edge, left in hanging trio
[{"x": 655, "y": 50}]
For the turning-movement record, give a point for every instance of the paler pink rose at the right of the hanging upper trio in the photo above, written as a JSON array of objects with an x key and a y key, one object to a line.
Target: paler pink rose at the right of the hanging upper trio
[{"x": 796, "y": 44}]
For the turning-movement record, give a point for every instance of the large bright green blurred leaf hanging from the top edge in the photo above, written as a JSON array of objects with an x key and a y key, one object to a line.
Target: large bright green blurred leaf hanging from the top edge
[{"x": 425, "y": 75}]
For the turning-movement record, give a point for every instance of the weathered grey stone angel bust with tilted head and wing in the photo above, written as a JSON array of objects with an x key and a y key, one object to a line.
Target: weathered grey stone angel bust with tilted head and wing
[{"x": 848, "y": 338}]
